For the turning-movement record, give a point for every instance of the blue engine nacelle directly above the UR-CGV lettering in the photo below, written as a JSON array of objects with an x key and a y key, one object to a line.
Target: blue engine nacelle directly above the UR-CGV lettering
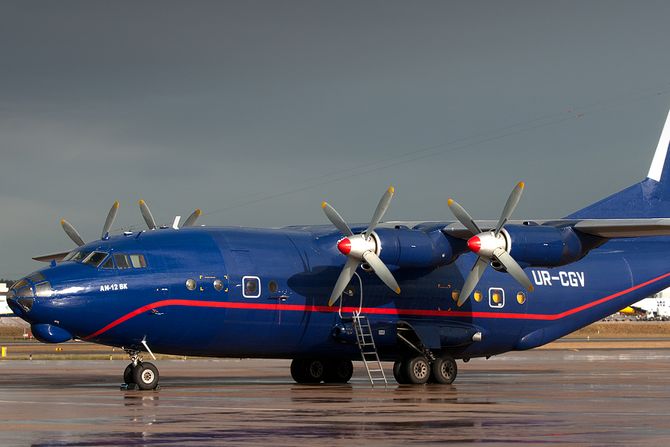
[{"x": 544, "y": 246}]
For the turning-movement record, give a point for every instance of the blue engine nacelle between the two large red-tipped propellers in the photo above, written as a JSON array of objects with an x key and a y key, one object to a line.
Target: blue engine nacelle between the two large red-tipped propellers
[{"x": 406, "y": 247}]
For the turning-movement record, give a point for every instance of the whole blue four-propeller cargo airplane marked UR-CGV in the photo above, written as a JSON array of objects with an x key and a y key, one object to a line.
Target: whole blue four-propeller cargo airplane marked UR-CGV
[{"x": 430, "y": 292}]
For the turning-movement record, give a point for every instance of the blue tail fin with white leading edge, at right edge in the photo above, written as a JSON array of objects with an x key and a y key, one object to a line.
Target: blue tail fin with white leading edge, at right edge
[{"x": 649, "y": 198}]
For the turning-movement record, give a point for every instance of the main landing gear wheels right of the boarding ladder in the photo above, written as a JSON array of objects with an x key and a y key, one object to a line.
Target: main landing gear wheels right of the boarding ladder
[{"x": 419, "y": 370}]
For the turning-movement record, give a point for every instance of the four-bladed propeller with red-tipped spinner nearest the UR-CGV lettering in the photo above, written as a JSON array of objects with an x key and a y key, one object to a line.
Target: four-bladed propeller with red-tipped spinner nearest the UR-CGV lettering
[{"x": 490, "y": 245}]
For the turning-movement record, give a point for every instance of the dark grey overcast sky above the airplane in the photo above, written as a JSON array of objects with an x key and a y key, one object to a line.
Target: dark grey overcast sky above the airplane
[{"x": 257, "y": 111}]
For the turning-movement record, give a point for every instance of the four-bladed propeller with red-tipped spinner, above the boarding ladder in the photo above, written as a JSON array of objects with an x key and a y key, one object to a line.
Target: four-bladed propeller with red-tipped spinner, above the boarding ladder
[{"x": 360, "y": 248}]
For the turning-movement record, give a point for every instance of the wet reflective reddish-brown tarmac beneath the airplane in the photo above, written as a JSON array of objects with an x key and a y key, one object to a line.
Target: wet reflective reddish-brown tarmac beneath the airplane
[{"x": 591, "y": 397}]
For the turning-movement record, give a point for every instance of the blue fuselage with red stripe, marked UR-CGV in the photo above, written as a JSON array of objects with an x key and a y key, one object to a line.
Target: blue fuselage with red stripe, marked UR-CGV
[{"x": 232, "y": 292}]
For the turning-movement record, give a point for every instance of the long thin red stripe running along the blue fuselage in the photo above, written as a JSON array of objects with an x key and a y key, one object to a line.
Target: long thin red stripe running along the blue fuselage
[{"x": 367, "y": 310}]
